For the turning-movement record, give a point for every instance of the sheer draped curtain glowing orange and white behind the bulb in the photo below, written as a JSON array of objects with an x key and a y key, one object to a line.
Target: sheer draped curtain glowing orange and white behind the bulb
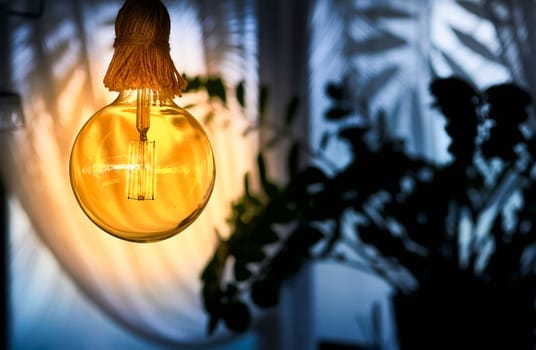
[{"x": 56, "y": 62}]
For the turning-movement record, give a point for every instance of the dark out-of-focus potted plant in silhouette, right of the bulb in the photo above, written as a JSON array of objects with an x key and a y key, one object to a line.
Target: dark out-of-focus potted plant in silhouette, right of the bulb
[{"x": 446, "y": 236}]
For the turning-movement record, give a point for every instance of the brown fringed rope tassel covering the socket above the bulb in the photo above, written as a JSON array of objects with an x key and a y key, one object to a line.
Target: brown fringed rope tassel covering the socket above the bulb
[{"x": 141, "y": 50}]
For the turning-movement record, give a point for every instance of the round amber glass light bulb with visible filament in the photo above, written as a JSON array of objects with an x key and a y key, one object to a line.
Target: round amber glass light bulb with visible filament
[{"x": 142, "y": 168}]
